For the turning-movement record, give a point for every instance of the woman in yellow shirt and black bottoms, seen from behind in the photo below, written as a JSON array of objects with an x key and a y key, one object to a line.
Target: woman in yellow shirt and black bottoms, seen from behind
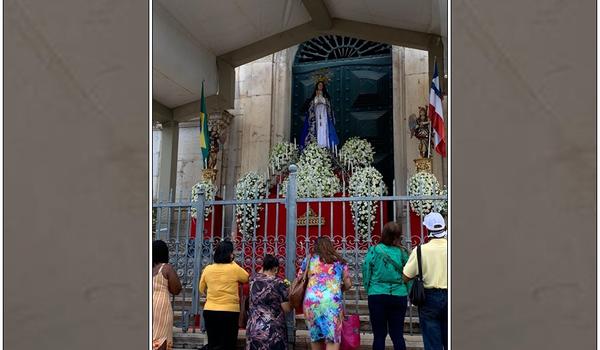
[{"x": 220, "y": 282}]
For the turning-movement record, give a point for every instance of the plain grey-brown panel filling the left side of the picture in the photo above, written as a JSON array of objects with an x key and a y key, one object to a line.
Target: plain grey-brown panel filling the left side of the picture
[{"x": 76, "y": 161}]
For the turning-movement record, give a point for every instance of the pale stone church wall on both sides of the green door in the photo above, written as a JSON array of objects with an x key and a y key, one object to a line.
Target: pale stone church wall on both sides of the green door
[{"x": 262, "y": 117}]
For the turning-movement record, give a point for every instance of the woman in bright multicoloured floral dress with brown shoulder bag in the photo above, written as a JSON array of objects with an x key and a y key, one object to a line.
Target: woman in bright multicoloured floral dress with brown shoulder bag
[{"x": 328, "y": 277}]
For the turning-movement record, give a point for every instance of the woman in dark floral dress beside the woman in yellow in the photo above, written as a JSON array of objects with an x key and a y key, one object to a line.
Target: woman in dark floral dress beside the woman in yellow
[{"x": 266, "y": 329}]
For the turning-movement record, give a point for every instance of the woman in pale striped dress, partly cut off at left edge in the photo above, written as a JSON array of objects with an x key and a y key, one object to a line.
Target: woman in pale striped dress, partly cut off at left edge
[{"x": 164, "y": 283}]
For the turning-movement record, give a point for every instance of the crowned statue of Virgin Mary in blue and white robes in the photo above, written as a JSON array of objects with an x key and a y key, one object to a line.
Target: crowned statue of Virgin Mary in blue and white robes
[{"x": 319, "y": 124}]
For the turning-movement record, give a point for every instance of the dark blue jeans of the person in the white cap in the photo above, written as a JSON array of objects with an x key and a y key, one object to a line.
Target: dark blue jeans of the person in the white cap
[{"x": 433, "y": 316}]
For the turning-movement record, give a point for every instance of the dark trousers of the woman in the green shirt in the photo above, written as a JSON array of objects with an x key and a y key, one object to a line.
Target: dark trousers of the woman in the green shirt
[{"x": 386, "y": 313}]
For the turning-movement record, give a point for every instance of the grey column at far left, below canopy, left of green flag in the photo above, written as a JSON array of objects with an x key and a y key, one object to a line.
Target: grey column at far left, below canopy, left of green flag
[{"x": 167, "y": 164}]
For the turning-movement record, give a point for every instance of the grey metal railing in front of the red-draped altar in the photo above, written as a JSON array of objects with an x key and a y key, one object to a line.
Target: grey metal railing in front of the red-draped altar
[{"x": 191, "y": 250}]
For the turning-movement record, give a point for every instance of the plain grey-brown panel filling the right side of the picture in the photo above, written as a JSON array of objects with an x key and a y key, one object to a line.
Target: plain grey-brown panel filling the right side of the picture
[{"x": 523, "y": 174}]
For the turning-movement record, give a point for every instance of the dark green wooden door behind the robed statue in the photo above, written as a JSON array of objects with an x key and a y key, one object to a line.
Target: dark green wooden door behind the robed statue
[{"x": 361, "y": 97}]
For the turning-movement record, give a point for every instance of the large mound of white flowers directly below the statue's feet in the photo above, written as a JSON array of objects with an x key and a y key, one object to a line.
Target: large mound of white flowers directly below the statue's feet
[{"x": 315, "y": 174}]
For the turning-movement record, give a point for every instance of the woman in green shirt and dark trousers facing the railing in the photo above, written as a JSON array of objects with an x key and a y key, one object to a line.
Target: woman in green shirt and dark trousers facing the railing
[{"x": 386, "y": 290}]
